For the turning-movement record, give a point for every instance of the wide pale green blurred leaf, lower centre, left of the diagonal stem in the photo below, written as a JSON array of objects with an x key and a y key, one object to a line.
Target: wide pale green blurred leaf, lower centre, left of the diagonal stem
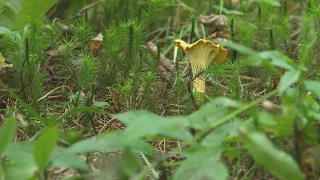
[{"x": 142, "y": 123}]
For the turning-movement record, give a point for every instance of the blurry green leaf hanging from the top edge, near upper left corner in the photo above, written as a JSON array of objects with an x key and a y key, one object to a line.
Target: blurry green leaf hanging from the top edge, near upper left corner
[{"x": 34, "y": 8}]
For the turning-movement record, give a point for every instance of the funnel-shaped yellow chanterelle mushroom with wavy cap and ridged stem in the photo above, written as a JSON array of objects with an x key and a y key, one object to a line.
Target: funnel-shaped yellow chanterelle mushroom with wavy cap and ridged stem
[{"x": 201, "y": 55}]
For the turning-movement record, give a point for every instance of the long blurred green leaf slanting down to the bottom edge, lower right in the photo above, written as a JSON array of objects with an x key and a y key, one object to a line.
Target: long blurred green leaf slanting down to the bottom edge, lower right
[{"x": 277, "y": 162}]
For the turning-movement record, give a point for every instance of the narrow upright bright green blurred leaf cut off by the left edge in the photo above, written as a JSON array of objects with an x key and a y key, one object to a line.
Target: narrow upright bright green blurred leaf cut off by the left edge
[{"x": 7, "y": 133}]
